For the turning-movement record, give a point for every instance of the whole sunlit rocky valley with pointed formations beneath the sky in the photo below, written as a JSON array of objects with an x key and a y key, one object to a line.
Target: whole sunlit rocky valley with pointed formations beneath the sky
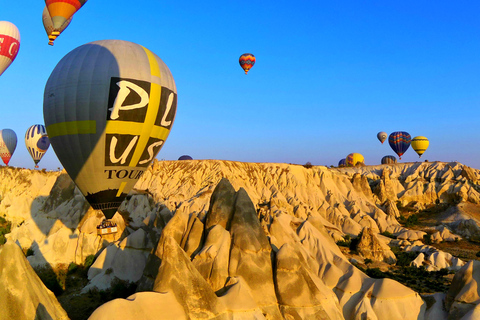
[{"x": 211, "y": 239}]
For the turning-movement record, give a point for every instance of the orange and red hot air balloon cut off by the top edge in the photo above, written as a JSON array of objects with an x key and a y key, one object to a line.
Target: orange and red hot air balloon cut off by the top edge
[{"x": 62, "y": 10}]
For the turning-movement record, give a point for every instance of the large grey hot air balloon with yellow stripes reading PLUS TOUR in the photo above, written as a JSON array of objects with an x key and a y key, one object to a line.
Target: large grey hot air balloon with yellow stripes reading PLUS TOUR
[{"x": 108, "y": 107}]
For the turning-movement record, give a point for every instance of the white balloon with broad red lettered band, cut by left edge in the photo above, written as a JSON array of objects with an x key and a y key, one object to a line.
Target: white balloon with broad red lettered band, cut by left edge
[{"x": 9, "y": 44}]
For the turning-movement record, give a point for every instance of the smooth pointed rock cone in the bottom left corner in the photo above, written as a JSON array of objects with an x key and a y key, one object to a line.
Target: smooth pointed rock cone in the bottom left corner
[{"x": 22, "y": 293}]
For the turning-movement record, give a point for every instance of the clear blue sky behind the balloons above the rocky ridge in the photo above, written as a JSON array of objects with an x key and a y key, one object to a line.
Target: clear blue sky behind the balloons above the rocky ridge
[{"x": 329, "y": 75}]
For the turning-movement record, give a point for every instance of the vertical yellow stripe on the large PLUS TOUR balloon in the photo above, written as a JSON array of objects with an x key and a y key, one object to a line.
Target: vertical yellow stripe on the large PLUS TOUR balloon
[{"x": 152, "y": 111}]
